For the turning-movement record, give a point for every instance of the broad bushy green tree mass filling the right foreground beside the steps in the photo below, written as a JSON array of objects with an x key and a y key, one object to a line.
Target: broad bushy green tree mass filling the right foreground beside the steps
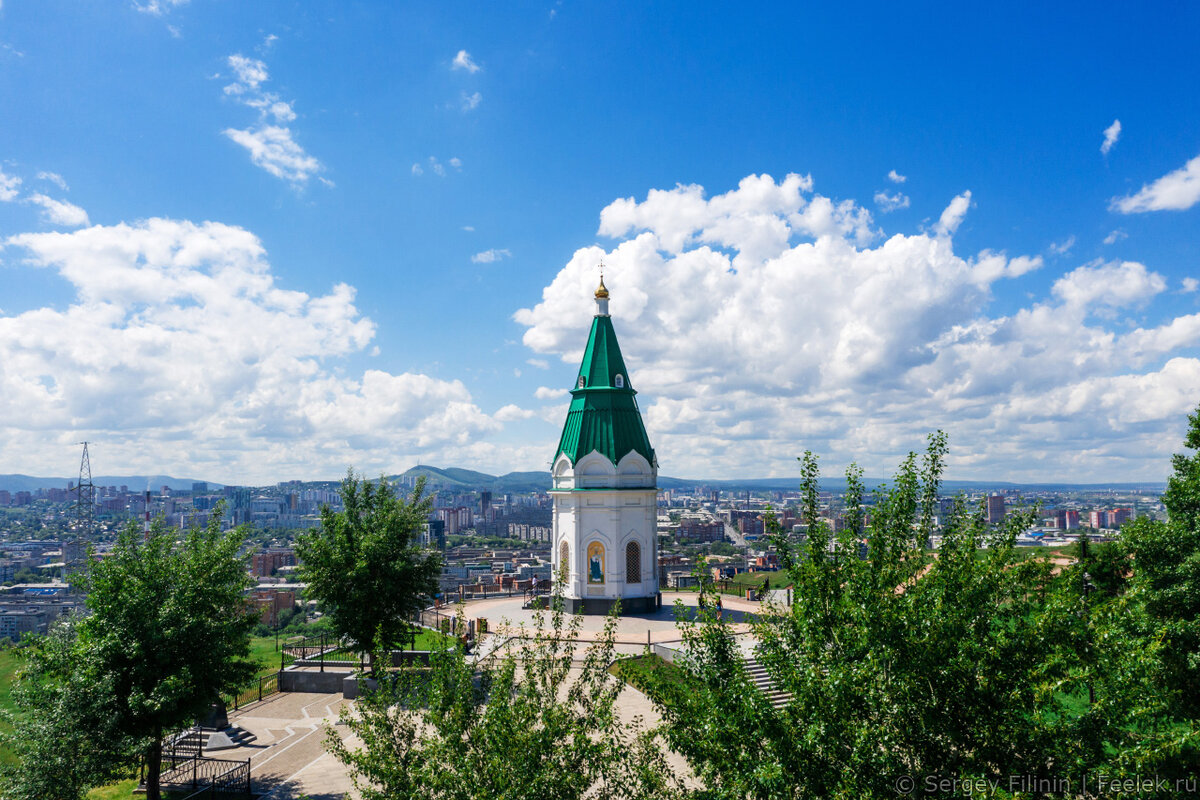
[{"x": 903, "y": 664}]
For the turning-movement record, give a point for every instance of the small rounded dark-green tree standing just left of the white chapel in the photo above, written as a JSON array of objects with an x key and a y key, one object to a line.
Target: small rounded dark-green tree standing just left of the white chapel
[{"x": 365, "y": 567}]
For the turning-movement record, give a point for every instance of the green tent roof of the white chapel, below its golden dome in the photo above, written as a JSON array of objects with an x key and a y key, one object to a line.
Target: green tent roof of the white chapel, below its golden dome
[{"x": 603, "y": 416}]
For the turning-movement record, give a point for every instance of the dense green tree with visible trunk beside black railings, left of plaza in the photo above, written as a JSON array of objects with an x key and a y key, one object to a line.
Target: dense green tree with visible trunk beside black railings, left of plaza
[{"x": 170, "y": 630}]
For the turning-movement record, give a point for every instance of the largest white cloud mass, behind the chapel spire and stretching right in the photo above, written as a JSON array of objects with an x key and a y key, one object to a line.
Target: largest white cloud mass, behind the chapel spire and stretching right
[{"x": 753, "y": 336}]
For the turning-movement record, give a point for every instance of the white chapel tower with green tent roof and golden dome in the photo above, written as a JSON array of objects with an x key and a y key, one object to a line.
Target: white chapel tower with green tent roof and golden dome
[{"x": 605, "y": 477}]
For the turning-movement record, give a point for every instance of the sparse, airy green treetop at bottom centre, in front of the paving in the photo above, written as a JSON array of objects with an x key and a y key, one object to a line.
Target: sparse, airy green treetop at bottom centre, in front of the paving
[{"x": 525, "y": 721}]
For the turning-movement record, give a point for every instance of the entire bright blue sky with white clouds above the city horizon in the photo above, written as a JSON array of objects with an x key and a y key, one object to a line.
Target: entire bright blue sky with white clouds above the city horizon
[{"x": 260, "y": 242}]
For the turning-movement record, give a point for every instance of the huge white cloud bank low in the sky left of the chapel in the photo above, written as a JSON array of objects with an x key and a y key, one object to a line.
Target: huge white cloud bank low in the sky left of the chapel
[{"x": 178, "y": 333}]
